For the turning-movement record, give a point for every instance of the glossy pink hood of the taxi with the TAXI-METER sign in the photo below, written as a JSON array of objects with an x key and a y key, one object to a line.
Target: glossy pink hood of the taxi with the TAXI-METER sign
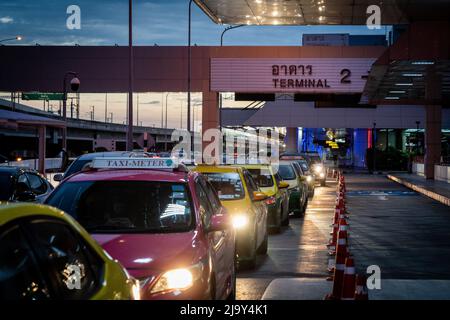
[{"x": 157, "y": 252}]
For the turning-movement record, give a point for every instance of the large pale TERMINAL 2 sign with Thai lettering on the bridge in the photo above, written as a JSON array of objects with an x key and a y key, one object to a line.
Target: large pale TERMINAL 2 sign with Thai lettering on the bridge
[{"x": 333, "y": 75}]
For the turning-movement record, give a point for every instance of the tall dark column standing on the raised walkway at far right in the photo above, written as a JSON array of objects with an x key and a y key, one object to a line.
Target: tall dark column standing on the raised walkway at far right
[{"x": 433, "y": 122}]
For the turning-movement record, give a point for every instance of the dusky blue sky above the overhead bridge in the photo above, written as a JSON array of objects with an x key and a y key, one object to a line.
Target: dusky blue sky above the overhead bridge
[{"x": 105, "y": 22}]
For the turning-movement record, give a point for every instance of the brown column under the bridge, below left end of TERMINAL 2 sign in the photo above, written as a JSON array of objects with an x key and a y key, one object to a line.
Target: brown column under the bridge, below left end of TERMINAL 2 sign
[{"x": 210, "y": 114}]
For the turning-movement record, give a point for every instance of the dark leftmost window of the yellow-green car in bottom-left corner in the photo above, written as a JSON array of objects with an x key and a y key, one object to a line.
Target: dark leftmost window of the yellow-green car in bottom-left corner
[{"x": 19, "y": 275}]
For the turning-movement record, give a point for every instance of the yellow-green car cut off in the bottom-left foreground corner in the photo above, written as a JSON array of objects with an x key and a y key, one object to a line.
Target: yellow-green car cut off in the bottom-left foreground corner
[{"x": 45, "y": 254}]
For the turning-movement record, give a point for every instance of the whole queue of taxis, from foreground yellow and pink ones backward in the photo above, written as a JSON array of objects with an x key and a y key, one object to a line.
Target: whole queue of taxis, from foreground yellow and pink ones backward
[{"x": 182, "y": 233}]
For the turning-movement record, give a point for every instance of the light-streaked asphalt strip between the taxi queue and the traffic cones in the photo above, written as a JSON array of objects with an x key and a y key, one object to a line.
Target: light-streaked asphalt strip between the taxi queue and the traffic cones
[{"x": 298, "y": 251}]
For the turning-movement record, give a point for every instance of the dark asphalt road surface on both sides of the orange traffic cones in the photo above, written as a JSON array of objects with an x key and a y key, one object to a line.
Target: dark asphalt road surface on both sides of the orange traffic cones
[{"x": 406, "y": 234}]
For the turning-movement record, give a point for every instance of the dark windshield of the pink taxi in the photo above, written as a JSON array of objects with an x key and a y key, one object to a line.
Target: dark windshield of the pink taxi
[{"x": 126, "y": 206}]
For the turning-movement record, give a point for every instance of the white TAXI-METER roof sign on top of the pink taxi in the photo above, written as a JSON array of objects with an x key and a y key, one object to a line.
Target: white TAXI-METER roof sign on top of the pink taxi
[{"x": 134, "y": 163}]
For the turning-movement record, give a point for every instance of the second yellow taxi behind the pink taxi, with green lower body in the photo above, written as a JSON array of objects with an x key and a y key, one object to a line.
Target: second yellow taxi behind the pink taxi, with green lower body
[{"x": 271, "y": 183}]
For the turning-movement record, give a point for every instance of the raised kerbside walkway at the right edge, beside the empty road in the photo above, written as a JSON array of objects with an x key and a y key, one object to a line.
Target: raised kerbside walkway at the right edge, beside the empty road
[{"x": 437, "y": 190}]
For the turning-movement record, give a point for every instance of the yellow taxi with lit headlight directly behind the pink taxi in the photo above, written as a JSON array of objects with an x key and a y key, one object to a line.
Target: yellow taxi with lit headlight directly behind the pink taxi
[{"x": 242, "y": 198}]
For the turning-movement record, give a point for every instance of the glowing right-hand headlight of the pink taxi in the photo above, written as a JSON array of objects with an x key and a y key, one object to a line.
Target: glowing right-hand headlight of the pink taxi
[{"x": 178, "y": 279}]
